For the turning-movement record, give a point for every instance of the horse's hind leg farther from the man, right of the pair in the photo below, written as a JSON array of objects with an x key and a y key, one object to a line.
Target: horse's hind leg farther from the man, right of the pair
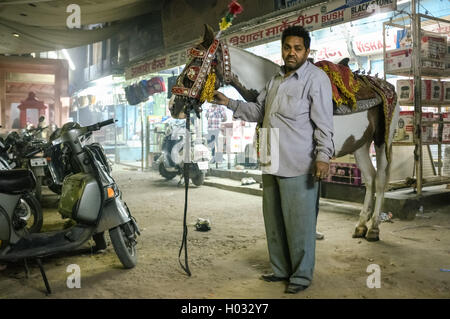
[{"x": 382, "y": 177}]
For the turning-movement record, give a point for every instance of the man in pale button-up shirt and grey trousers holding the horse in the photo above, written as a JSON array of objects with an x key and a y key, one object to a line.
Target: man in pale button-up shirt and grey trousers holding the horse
[{"x": 296, "y": 112}]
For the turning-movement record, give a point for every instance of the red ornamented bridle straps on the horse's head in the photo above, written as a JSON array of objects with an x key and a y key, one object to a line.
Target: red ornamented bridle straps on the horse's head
[{"x": 198, "y": 74}]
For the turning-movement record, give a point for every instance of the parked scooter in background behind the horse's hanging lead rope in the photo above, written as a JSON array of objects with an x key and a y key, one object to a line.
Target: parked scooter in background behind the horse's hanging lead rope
[{"x": 170, "y": 162}]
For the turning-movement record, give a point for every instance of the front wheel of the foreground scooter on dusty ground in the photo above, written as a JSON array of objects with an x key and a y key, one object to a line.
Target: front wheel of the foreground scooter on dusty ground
[{"x": 124, "y": 247}]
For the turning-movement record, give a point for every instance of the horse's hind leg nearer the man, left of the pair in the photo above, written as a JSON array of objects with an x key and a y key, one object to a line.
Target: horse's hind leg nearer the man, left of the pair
[{"x": 362, "y": 156}]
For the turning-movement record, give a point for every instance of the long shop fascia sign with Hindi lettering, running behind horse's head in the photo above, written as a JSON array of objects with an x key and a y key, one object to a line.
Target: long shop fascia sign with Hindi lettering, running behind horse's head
[{"x": 314, "y": 18}]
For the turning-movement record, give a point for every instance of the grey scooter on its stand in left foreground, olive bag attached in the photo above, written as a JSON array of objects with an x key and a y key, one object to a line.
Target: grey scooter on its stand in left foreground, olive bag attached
[{"x": 90, "y": 197}]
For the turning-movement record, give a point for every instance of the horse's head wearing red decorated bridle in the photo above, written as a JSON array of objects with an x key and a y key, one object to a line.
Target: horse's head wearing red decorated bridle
[{"x": 205, "y": 58}]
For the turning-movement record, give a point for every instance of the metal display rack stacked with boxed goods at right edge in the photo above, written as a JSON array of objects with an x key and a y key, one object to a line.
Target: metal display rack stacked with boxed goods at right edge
[{"x": 420, "y": 65}]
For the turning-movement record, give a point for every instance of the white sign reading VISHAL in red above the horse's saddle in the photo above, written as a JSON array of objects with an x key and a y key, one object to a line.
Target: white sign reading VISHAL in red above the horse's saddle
[{"x": 372, "y": 44}]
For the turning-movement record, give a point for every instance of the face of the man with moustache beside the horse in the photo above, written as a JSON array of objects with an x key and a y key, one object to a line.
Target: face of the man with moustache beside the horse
[{"x": 294, "y": 53}]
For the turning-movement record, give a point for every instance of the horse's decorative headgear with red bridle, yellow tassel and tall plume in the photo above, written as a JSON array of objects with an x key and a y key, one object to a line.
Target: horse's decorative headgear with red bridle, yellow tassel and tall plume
[{"x": 203, "y": 76}]
